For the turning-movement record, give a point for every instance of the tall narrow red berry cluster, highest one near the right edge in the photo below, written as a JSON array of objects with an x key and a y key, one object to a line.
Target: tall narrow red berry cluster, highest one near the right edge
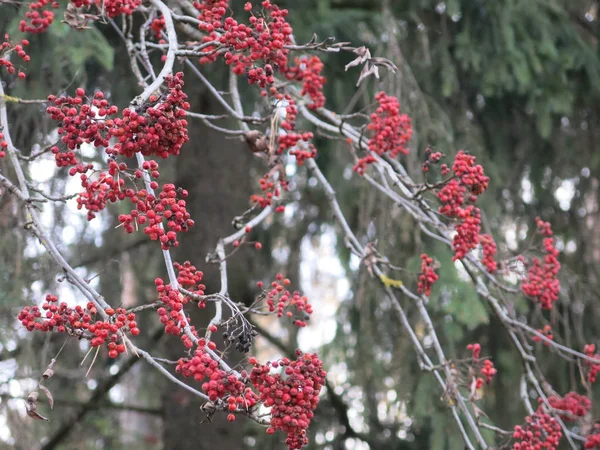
[{"x": 541, "y": 282}]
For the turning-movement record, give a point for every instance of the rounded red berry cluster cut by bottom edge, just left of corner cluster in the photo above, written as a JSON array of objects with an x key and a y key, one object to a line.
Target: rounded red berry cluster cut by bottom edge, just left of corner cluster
[{"x": 541, "y": 431}]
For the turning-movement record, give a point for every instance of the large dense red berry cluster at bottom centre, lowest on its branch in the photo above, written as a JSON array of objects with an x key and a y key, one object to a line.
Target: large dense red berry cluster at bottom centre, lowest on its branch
[{"x": 292, "y": 395}]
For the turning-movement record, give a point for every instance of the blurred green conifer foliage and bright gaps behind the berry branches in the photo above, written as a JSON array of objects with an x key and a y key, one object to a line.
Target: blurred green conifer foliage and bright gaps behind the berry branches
[{"x": 515, "y": 82}]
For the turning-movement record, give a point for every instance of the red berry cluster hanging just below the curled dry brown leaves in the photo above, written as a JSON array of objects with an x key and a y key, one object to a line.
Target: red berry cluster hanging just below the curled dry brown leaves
[{"x": 390, "y": 131}]
